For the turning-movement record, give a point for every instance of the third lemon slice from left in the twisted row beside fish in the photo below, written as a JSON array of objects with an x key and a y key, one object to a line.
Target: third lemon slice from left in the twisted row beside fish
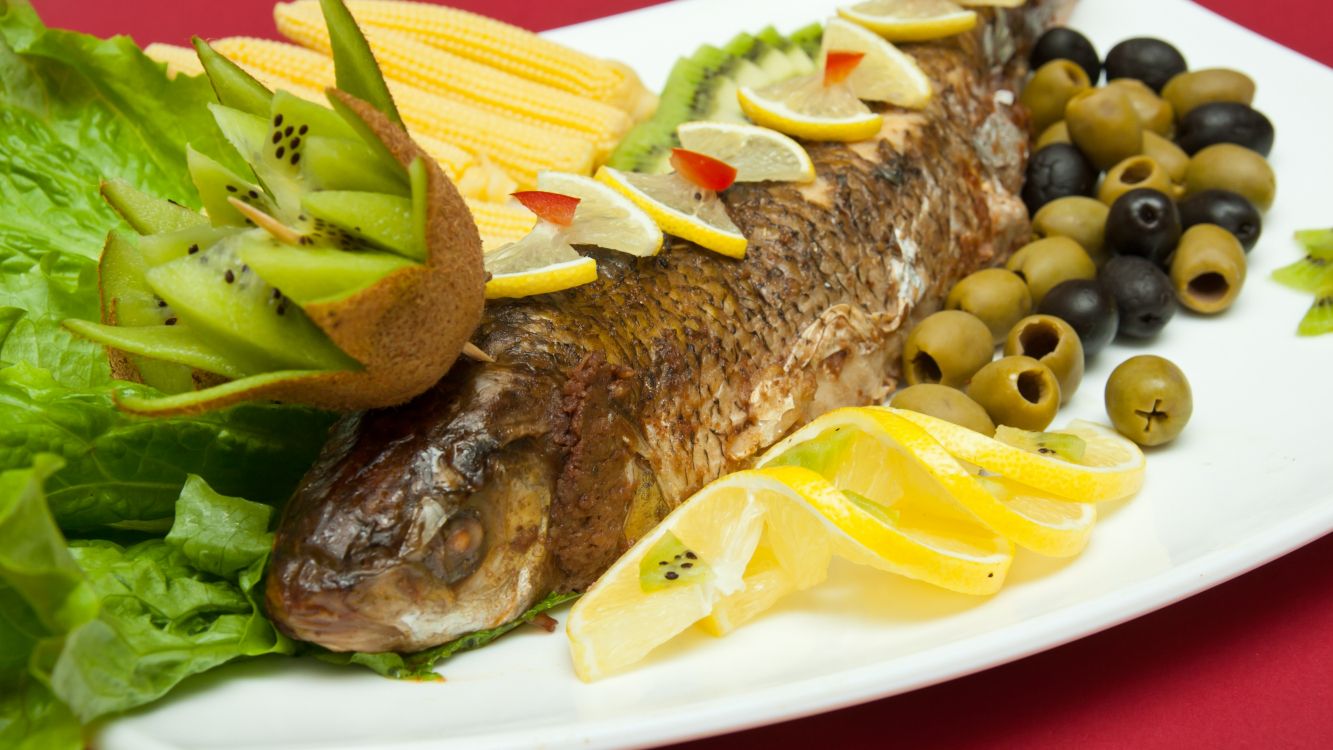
[{"x": 870, "y": 464}]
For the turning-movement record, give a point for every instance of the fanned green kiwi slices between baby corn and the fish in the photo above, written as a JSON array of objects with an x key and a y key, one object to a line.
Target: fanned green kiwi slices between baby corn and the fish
[{"x": 704, "y": 86}]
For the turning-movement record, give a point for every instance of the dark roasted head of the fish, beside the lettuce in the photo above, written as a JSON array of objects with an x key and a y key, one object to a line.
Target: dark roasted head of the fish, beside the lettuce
[{"x": 423, "y": 523}]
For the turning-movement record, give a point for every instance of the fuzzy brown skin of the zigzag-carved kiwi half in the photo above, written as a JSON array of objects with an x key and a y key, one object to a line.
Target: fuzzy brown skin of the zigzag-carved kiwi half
[{"x": 406, "y": 331}]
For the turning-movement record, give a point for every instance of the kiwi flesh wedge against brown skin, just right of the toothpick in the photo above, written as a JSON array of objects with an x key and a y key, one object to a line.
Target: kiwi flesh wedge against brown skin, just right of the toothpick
[{"x": 382, "y": 220}]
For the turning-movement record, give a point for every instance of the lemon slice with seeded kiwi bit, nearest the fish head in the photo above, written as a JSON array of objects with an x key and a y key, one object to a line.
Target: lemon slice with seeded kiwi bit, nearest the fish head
[{"x": 699, "y": 556}]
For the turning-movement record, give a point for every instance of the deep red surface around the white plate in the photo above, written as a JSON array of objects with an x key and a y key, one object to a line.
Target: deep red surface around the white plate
[{"x": 1248, "y": 664}]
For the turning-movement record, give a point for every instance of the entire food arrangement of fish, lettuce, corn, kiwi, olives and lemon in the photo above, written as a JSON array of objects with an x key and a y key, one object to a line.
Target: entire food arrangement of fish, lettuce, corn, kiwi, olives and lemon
[{"x": 379, "y": 344}]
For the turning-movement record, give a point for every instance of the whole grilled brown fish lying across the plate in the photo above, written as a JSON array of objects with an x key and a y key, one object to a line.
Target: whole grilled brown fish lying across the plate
[{"x": 610, "y": 404}]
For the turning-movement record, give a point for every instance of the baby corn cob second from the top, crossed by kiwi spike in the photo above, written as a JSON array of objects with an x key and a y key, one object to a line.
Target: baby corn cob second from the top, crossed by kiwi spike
[{"x": 405, "y": 59}]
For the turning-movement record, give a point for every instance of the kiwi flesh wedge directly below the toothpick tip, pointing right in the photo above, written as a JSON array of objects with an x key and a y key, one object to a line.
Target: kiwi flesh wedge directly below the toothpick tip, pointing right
[{"x": 314, "y": 274}]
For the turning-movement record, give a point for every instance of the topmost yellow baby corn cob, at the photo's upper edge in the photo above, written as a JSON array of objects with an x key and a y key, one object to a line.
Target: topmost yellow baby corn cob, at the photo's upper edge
[{"x": 487, "y": 41}]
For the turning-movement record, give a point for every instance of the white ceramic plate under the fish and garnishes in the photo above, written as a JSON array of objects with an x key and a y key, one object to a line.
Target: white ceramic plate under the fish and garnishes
[{"x": 1247, "y": 483}]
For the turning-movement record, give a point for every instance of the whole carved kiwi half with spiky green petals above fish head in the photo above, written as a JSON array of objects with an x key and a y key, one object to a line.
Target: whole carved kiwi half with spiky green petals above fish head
[{"x": 345, "y": 272}]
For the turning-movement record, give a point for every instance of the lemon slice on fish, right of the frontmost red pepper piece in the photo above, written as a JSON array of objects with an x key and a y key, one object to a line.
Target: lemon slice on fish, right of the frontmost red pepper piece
[{"x": 605, "y": 218}]
